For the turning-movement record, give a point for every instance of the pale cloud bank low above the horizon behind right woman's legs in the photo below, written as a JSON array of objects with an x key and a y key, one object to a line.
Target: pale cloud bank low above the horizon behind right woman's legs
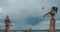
[{"x": 44, "y": 25}]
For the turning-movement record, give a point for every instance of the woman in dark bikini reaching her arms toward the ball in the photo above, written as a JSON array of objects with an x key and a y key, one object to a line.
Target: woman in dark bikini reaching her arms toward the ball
[{"x": 52, "y": 21}]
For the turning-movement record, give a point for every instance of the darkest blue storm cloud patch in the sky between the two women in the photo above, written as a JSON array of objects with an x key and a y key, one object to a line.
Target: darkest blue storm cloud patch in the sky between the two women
[{"x": 34, "y": 20}]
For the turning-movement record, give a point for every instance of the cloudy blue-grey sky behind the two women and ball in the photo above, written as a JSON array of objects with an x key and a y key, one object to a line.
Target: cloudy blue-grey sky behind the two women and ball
[{"x": 25, "y": 14}]
